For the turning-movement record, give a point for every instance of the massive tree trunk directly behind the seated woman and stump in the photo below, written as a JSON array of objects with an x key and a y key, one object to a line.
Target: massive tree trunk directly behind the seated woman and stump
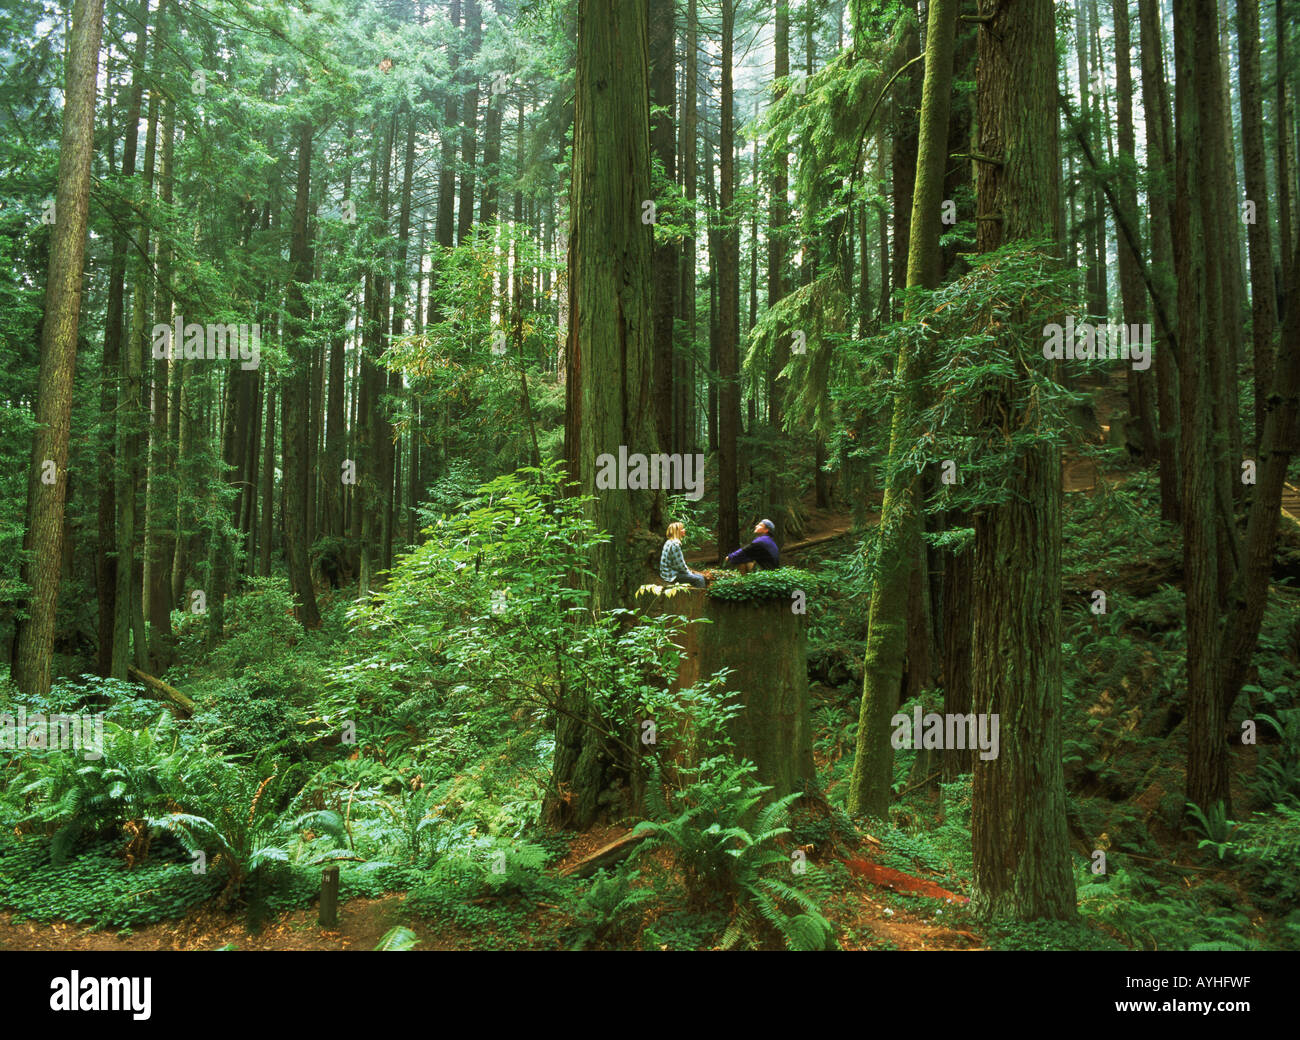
[{"x": 610, "y": 352}]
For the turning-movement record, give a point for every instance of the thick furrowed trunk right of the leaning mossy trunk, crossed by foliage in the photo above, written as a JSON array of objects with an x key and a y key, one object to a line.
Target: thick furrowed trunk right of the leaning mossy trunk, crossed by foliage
[{"x": 1019, "y": 825}]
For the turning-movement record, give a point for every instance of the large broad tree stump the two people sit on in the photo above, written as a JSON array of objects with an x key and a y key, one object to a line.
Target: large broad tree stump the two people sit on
[{"x": 765, "y": 644}]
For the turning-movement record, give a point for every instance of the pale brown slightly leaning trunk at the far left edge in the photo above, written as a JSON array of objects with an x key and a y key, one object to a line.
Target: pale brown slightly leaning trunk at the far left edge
[{"x": 47, "y": 479}]
